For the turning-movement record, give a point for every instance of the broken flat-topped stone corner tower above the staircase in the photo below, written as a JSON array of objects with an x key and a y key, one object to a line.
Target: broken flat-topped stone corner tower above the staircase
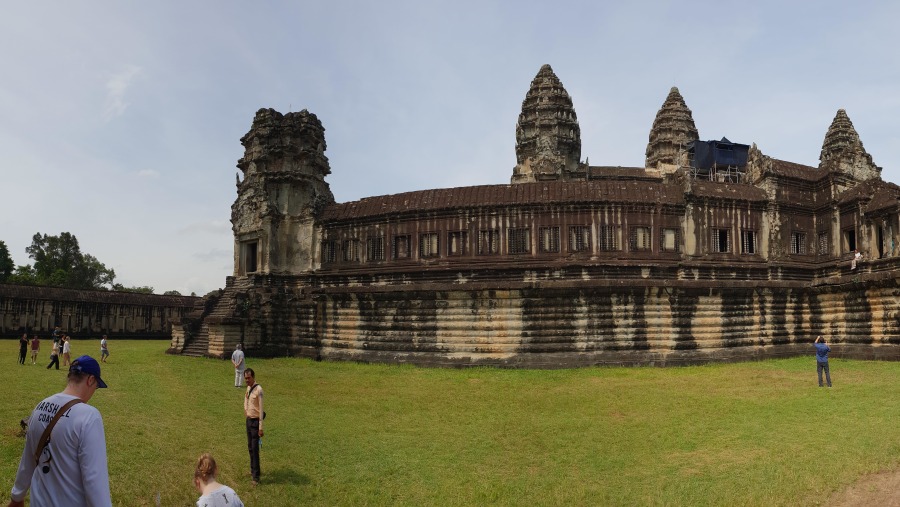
[{"x": 283, "y": 189}]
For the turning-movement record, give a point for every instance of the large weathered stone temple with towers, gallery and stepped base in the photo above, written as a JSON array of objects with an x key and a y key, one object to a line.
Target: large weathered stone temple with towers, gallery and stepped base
[{"x": 712, "y": 251}]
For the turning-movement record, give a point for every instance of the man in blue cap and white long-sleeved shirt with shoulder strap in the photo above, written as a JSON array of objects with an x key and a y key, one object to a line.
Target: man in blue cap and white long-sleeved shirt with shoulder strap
[{"x": 71, "y": 467}]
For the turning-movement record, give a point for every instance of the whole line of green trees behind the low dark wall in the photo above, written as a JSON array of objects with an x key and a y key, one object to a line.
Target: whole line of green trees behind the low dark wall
[{"x": 59, "y": 262}]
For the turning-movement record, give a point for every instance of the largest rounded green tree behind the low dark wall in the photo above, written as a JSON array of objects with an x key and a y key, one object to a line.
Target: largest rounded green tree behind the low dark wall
[{"x": 58, "y": 261}]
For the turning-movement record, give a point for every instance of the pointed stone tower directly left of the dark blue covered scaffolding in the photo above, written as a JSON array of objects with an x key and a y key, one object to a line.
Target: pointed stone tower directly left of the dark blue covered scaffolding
[{"x": 672, "y": 129}]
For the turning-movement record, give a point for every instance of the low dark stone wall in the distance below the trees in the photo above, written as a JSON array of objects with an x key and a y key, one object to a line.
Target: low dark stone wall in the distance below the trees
[{"x": 80, "y": 313}]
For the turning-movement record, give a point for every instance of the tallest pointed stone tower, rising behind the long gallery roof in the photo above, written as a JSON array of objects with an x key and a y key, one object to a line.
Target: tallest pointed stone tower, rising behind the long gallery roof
[{"x": 548, "y": 138}]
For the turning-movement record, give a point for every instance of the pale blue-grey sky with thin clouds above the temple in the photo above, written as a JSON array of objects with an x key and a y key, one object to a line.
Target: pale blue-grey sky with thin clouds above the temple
[{"x": 120, "y": 122}]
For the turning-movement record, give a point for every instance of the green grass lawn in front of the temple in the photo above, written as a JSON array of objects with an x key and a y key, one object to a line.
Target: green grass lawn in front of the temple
[{"x": 758, "y": 433}]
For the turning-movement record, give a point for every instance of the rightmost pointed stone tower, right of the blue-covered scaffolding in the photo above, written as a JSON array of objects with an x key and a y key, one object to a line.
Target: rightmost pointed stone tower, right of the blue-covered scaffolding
[{"x": 843, "y": 151}]
